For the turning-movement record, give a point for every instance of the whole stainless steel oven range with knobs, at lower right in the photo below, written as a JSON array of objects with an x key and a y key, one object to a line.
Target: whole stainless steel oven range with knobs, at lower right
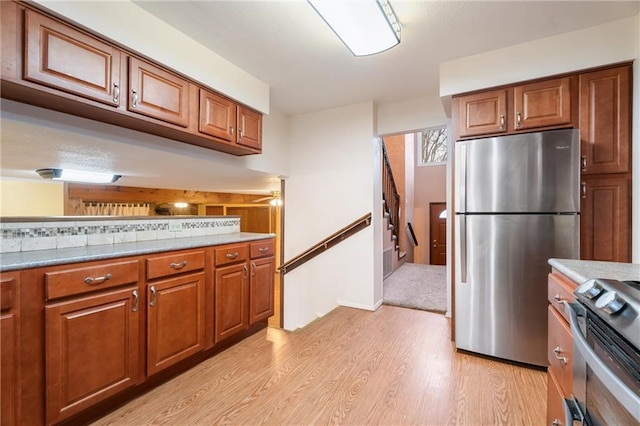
[{"x": 605, "y": 324}]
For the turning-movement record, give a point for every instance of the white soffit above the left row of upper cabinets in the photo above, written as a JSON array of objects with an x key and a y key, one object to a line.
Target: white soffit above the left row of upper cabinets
[{"x": 126, "y": 23}]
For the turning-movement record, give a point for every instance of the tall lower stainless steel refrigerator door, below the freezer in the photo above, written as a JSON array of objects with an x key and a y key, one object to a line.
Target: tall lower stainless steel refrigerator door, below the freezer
[{"x": 501, "y": 281}]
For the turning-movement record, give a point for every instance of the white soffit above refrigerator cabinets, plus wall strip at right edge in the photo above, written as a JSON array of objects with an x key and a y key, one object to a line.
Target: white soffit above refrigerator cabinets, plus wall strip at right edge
[{"x": 618, "y": 41}]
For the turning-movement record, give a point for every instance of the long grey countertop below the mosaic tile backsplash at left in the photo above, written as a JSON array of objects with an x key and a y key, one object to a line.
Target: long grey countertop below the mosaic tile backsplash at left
[{"x": 39, "y": 258}]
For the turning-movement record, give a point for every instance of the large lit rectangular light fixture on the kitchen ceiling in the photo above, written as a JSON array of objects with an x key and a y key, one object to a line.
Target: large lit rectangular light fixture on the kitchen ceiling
[{"x": 366, "y": 27}]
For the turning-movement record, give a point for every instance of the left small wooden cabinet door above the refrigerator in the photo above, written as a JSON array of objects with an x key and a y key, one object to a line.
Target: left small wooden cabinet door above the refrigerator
[{"x": 482, "y": 113}]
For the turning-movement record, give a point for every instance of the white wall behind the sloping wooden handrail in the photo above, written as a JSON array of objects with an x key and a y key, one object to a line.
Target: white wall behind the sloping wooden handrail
[{"x": 330, "y": 184}]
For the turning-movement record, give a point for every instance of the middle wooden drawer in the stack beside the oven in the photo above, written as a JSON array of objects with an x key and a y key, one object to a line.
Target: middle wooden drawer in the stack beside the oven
[{"x": 560, "y": 350}]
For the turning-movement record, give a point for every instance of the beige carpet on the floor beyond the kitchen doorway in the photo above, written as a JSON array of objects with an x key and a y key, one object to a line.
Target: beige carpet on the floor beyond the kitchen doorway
[{"x": 417, "y": 286}]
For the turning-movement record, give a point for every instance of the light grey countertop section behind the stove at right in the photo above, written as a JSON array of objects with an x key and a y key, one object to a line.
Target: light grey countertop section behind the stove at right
[{"x": 583, "y": 270}]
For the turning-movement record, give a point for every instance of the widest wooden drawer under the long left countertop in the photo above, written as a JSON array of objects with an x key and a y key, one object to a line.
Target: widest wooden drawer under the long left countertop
[{"x": 90, "y": 278}]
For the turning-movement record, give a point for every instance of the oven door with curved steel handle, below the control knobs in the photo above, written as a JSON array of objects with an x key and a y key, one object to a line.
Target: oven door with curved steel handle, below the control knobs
[{"x": 606, "y": 373}]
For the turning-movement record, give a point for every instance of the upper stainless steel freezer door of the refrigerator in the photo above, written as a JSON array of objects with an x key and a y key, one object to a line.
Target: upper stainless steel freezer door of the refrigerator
[{"x": 533, "y": 172}]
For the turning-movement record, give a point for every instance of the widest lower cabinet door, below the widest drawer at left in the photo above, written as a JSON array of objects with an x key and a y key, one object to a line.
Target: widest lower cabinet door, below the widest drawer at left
[{"x": 91, "y": 351}]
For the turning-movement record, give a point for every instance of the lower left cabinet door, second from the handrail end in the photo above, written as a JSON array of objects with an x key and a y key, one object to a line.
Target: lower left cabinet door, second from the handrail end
[{"x": 231, "y": 300}]
